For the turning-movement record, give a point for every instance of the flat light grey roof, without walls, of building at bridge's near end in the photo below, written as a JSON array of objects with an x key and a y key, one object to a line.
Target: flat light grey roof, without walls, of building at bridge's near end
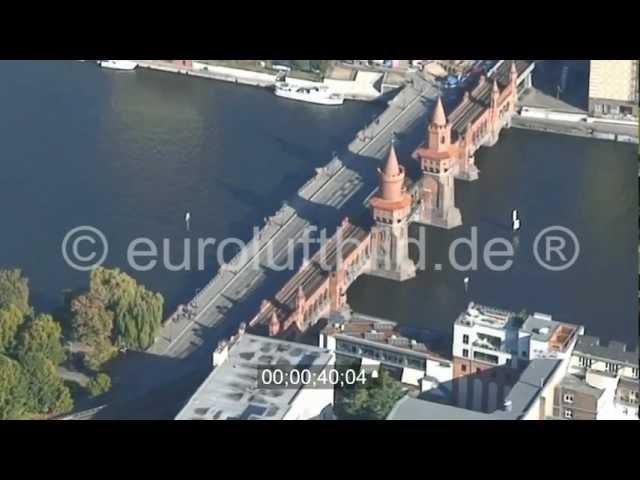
[{"x": 231, "y": 389}]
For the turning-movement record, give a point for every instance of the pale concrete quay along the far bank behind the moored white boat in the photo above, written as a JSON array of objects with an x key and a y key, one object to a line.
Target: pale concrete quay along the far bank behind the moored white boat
[{"x": 364, "y": 87}]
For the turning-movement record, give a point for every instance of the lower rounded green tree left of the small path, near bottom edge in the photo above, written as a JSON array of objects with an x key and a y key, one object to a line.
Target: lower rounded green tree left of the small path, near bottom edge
[{"x": 47, "y": 392}]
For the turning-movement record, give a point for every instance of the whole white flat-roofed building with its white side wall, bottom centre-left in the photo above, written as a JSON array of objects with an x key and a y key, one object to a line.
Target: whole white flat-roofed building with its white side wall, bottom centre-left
[{"x": 232, "y": 390}]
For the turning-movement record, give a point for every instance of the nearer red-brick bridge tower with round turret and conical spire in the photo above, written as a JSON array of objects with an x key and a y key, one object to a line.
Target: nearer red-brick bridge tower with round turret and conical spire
[{"x": 391, "y": 208}]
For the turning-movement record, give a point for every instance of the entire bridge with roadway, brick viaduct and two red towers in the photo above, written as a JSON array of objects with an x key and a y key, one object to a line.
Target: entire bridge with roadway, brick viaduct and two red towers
[{"x": 247, "y": 294}]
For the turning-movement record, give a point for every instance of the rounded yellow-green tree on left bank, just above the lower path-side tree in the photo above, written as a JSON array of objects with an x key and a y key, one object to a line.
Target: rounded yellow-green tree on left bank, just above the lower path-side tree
[{"x": 43, "y": 336}]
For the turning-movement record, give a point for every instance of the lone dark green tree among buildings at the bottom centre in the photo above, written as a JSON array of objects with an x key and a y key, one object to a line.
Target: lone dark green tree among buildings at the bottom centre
[{"x": 374, "y": 398}]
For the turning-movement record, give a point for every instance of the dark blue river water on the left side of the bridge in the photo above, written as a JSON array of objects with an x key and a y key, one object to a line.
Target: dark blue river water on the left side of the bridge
[{"x": 131, "y": 152}]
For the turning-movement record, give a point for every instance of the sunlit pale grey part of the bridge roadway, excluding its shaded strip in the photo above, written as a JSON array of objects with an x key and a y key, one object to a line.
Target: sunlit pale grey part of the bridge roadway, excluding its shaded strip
[{"x": 334, "y": 188}]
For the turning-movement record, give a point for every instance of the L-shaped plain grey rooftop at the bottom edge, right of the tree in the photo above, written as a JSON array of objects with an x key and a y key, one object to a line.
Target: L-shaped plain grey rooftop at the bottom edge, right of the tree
[{"x": 519, "y": 399}]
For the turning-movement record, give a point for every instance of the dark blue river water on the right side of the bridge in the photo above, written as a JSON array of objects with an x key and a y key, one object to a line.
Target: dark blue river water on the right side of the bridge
[{"x": 588, "y": 186}]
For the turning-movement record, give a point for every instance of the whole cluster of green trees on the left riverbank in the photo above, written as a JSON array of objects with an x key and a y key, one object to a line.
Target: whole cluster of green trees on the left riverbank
[{"x": 114, "y": 312}]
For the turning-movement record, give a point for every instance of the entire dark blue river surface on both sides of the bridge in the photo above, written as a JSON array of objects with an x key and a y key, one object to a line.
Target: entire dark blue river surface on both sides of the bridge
[{"x": 130, "y": 153}]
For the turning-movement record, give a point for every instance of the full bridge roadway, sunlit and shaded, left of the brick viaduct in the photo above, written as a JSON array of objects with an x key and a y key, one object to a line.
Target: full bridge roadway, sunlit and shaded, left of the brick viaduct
[{"x": 180, "y": 358}]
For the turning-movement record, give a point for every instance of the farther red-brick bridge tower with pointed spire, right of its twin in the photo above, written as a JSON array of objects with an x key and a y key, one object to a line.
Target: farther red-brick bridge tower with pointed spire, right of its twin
[{"x": 439, "y": 167}]
